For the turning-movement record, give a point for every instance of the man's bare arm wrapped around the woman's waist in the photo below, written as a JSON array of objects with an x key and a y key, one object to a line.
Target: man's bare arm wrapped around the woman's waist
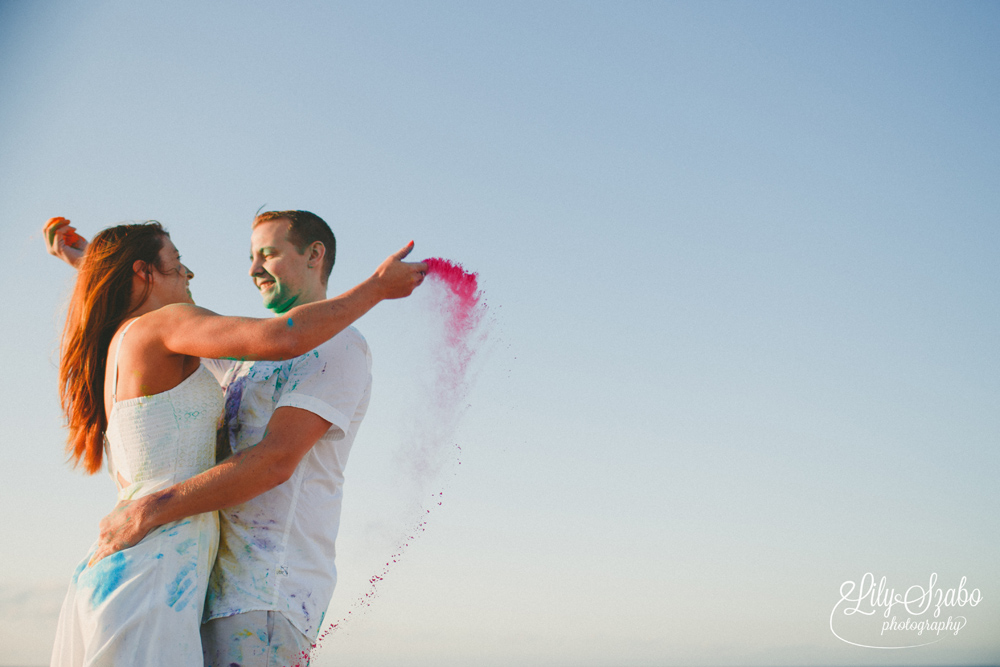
[{"x": 290, "y": 434}]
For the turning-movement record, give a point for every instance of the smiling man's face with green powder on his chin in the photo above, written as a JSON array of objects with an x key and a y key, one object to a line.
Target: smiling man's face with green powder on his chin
[{"x": 277, "y": 268}]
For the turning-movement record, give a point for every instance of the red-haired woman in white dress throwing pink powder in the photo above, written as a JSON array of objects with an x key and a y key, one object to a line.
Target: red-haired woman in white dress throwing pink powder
[{"x": 130, "y": 370}]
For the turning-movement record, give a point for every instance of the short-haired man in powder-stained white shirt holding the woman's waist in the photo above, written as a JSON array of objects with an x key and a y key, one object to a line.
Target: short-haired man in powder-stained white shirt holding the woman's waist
[{"x": 290, "y": 426}]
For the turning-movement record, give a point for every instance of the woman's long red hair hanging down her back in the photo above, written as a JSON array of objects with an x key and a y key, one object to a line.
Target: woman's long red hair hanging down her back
[{"x": 99, "y": 305}]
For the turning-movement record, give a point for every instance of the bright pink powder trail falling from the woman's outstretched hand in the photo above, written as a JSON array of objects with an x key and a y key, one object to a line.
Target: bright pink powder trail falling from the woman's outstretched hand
[{"x": 454, "y": 296}]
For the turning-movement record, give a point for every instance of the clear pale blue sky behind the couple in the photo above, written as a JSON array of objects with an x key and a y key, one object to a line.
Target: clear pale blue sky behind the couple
[{"x": 740, "y": 259}]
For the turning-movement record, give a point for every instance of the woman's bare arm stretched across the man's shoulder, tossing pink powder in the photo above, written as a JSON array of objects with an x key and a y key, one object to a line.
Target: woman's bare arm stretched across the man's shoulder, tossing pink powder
[{"x": 188, "y": 329}]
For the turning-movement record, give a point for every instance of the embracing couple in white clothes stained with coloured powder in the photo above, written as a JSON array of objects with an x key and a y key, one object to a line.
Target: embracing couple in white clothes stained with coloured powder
[{"x": 226, "y": 436}]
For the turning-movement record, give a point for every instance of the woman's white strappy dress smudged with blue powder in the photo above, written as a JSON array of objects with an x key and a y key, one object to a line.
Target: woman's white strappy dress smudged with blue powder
[{"x": 143, "y": 605}]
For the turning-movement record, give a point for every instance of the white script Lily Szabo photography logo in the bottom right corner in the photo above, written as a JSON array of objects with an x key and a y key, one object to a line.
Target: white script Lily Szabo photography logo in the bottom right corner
[{"x": 872, "y": 615}]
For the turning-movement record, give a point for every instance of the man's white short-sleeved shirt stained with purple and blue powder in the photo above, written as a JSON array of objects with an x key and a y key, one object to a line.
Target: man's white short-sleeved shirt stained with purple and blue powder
[{"x": 276, "y": 551}]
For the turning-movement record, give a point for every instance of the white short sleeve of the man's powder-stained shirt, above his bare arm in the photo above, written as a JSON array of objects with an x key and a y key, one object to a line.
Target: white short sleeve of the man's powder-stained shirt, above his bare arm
[{"x": 331, "y": 381}]
